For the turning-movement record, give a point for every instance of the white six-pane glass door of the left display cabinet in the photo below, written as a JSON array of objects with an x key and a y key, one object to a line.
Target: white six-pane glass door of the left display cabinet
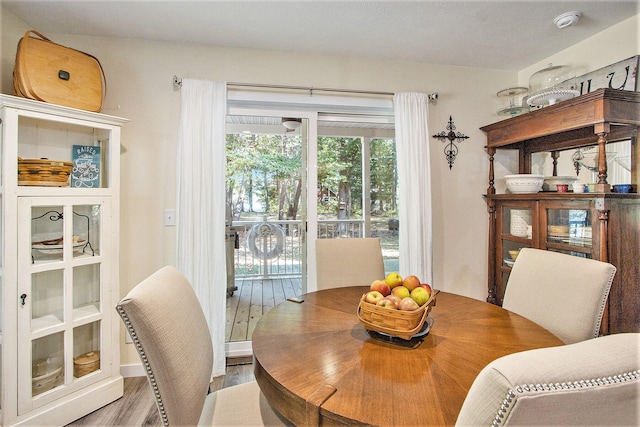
[{"x": 61, "y": 283}]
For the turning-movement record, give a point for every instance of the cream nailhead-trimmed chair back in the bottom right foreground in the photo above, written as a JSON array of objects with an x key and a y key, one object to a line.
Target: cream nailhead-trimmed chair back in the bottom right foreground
[{"x": 593, "y": 382}]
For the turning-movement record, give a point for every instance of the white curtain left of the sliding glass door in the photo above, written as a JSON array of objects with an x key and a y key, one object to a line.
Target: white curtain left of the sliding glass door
[{"x": 200, "y": 200}]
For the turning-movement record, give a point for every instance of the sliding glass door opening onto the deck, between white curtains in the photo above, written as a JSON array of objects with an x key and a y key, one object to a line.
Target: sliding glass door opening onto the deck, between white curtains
[{"x": 295, "y": 175}]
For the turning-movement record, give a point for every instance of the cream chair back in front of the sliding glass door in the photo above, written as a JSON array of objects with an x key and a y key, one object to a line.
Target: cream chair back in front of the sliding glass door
[{"x": 348, "y": 262}]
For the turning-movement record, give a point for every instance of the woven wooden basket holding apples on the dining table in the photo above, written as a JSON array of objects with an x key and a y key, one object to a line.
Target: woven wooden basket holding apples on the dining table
[{"x": 397, "y": 323}]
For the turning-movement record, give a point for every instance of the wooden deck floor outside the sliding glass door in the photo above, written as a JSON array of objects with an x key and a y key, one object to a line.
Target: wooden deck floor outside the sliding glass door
[{"x": 253, "y": 298}]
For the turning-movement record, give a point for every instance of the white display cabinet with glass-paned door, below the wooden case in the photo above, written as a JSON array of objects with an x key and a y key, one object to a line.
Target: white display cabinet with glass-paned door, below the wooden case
[{"x": 59, "y": 336}]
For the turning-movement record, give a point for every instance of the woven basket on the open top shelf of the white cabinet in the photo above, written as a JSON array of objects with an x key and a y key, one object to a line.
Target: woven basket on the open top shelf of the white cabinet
[{"x": 44, "y": 172}]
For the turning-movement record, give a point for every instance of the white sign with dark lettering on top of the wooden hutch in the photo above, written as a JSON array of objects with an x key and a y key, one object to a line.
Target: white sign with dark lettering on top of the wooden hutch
[{"x": 621, "y": 75}]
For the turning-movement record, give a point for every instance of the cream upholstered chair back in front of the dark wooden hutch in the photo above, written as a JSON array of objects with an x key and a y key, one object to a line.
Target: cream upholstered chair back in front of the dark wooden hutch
[{"x": 562, "y": 293}]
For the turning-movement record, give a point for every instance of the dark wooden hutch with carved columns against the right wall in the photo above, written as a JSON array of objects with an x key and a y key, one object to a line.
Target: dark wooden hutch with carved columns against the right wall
[{"x": 602, "y": 225}]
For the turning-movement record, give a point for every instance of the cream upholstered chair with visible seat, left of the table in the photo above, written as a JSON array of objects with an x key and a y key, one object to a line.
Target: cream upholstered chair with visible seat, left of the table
[{"x": 165, "y": 320}]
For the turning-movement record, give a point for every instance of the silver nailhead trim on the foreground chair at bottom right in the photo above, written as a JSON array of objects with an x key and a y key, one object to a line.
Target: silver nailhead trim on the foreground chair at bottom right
[{"x": 530, "y": 388}]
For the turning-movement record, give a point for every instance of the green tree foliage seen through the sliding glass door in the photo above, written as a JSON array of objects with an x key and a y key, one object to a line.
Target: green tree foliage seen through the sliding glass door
[{"x": 263, "y": 176}]
